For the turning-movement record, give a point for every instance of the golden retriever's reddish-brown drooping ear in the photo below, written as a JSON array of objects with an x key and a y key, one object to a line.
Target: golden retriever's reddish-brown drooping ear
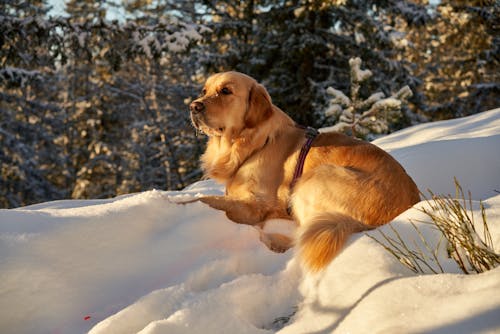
[{"x": 259, "y": 106}]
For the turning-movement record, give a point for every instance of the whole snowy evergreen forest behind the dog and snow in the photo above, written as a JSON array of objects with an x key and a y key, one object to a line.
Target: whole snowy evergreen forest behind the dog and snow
[{"x": 93, "y": 105}]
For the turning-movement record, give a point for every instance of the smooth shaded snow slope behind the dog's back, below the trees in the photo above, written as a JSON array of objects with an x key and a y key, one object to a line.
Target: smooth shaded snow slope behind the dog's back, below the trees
[{"x": 467, "y": 148}]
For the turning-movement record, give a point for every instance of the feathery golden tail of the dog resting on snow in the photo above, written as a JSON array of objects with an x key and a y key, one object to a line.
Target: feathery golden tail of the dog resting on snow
[{"x": 323, "y": 236}]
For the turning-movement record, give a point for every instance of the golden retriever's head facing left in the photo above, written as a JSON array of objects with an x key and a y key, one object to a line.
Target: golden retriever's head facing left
[{"x": 230, "y": 102}]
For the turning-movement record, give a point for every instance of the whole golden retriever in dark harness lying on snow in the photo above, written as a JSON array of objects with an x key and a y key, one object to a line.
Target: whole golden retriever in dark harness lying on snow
[{"x": 340, "y": 186}]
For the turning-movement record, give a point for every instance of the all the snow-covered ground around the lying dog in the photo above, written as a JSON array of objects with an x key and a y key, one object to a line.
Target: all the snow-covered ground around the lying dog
[{"x": 141, "y": 263}]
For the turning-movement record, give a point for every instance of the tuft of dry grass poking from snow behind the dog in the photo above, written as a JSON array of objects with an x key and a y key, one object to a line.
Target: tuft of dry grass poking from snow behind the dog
[{"x": 469, "y": 246}]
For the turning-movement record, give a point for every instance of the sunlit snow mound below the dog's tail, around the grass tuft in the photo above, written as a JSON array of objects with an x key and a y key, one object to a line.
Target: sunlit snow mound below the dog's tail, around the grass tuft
[{"x": 366, "y": 290}]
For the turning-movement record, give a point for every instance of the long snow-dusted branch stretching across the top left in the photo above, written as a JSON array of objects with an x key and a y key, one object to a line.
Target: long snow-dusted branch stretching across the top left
[{"x": 167, "y": 35}]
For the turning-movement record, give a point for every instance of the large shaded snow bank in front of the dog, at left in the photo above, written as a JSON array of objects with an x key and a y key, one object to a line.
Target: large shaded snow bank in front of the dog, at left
[{"x": 65, "y": 261}]
